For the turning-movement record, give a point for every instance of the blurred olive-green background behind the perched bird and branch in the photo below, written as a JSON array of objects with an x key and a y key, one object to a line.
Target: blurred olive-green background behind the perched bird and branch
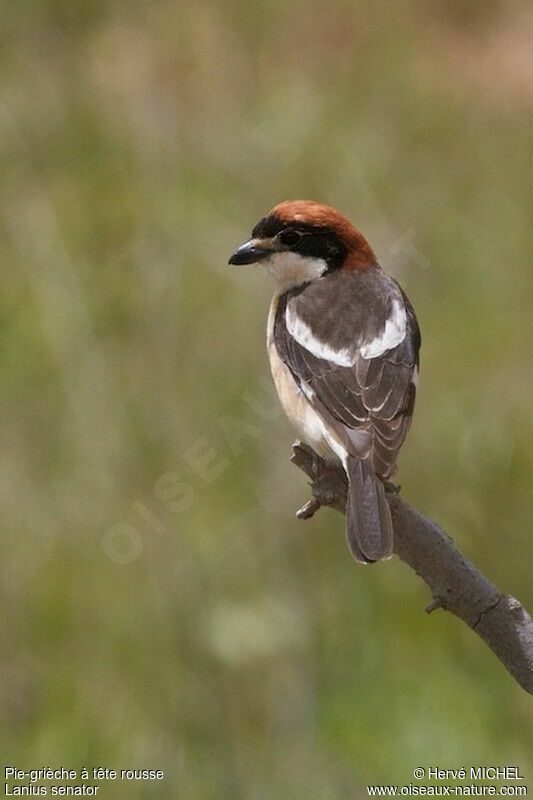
[{"x": 162, "y": 608}]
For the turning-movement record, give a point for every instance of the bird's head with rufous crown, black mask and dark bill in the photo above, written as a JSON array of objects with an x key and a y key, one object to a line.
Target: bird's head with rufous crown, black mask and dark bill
[{"x": 301, "y": 240}]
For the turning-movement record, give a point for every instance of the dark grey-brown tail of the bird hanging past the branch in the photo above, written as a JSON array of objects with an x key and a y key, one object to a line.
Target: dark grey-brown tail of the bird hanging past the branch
[{"x": 368, "y": 519}]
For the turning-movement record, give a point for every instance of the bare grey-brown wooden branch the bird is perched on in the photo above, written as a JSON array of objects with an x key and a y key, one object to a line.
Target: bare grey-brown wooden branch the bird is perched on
[{"x": 455, "y": 583}]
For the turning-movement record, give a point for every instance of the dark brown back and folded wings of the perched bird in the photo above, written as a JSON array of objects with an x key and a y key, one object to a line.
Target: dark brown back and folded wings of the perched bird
[{"x": 369, "y": 403}]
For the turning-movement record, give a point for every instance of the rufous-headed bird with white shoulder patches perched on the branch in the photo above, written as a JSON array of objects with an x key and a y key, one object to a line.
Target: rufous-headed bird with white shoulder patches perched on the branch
[{"x": 343, "y": 342}]
